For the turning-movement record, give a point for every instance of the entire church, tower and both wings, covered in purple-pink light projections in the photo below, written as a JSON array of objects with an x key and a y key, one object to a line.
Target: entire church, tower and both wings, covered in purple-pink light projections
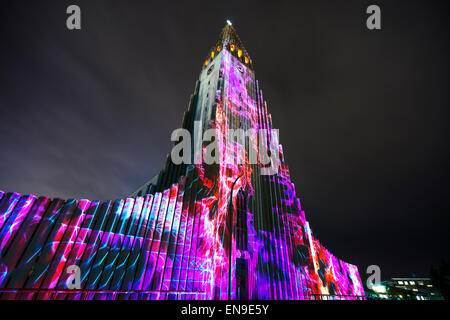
[{"x": 226, "y": 230}]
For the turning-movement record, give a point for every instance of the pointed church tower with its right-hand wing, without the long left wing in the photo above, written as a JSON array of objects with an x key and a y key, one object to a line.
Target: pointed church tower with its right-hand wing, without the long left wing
[{"x": 262, "y": 245}]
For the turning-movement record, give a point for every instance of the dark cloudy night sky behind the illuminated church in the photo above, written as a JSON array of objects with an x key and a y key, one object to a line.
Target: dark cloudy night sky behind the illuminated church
[{"x": 363, "y": 115}]
